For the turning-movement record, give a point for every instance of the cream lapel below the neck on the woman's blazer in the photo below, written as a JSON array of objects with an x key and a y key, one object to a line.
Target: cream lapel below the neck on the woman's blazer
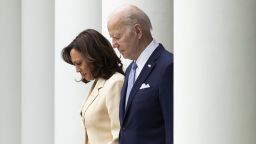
[{"x": 93, "y": 95}]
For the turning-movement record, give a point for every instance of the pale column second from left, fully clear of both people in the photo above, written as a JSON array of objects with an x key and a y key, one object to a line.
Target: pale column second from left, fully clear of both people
[{"x": 37, "y": 125}]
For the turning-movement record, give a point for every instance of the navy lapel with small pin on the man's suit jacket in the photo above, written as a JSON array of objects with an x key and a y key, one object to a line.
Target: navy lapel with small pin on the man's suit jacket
[{"x": 148, "y": 67}]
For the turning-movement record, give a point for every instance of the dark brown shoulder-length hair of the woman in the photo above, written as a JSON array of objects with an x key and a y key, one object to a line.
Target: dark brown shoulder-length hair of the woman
[{"x": 97, "y": 51}]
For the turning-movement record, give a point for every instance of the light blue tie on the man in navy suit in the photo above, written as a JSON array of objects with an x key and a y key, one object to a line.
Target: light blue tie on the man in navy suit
[{"x": 131, "y": 81}]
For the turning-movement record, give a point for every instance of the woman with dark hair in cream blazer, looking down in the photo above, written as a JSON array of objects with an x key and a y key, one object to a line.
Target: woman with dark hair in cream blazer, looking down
[{"x": 94, "y": 58}]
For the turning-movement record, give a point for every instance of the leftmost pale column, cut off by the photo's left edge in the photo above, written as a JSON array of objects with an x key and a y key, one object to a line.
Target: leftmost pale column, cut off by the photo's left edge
[{"x": 10, "y": 77}]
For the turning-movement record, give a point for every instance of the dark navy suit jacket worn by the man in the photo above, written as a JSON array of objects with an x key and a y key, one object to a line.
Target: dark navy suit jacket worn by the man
[{"x": 148, "y": 117}]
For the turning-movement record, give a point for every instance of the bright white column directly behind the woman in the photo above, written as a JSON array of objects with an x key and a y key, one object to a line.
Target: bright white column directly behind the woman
[{"x": 71, "y": 18}]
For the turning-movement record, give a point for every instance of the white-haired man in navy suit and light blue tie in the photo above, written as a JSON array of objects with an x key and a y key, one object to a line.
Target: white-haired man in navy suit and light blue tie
[{"x": 146, "y": 106}]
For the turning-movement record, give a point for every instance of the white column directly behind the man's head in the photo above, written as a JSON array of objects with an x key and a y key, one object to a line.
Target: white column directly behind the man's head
[{"x": 160, "y": 14}]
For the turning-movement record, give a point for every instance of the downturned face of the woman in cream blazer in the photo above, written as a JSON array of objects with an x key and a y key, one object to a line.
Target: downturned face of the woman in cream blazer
[{"x": 81, "y": 65}]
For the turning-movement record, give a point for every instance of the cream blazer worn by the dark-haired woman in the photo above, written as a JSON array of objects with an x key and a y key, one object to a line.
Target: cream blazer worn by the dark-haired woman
[{"x": 100, "y": 111}]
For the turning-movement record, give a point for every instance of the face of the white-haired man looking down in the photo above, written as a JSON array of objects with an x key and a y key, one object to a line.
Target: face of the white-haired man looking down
[{"x": 123, "y": 38}]
